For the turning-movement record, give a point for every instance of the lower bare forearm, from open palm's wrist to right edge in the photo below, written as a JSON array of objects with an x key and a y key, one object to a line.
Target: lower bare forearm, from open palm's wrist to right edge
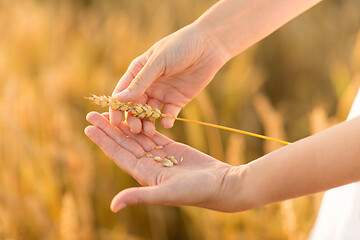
[{"x": 316, "y": 163}]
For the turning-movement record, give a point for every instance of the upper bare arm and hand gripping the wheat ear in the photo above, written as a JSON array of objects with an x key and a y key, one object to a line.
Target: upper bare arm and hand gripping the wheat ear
[{"x": 175, "y": 69}]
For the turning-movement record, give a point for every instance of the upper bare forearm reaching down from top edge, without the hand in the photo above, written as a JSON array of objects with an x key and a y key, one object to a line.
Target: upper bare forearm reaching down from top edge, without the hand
[{"x": 238, "y": 24}]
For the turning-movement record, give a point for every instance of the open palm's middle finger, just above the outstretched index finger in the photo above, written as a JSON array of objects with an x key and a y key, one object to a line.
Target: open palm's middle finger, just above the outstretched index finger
[{"x": 115, "y": 133}]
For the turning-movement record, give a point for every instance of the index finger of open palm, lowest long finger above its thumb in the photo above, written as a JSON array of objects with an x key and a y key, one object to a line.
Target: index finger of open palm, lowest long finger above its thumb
[{"x": 123, "y": 158}]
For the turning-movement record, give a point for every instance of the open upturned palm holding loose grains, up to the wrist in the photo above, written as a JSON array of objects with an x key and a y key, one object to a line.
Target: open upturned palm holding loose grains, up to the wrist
[{"x": 198, "y": 180}]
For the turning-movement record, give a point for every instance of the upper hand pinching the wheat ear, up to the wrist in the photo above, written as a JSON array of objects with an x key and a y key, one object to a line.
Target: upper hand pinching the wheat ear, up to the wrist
[{"x": 171, "y": 73}]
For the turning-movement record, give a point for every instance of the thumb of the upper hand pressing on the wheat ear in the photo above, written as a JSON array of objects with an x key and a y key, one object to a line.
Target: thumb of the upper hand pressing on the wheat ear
[{"x": 147, "y": 75}]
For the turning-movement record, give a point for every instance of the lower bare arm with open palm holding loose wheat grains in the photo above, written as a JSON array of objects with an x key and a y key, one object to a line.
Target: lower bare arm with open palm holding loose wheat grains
[{"x": 201, "y": 180}]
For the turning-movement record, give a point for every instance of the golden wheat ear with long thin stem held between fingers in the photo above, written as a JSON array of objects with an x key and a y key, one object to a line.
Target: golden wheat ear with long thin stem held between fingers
[{"x": 146, "y": 111}]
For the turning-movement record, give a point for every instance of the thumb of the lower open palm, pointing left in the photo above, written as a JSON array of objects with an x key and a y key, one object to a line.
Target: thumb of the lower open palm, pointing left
[{"x": 153, "y": 195}]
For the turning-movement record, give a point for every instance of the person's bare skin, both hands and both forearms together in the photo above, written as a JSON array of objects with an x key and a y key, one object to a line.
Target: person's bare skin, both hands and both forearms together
[{"x": 171, "y": 73}]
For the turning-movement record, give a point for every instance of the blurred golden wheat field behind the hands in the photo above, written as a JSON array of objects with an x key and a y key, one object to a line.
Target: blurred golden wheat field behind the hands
[{"x": 56, "y": 184}]
